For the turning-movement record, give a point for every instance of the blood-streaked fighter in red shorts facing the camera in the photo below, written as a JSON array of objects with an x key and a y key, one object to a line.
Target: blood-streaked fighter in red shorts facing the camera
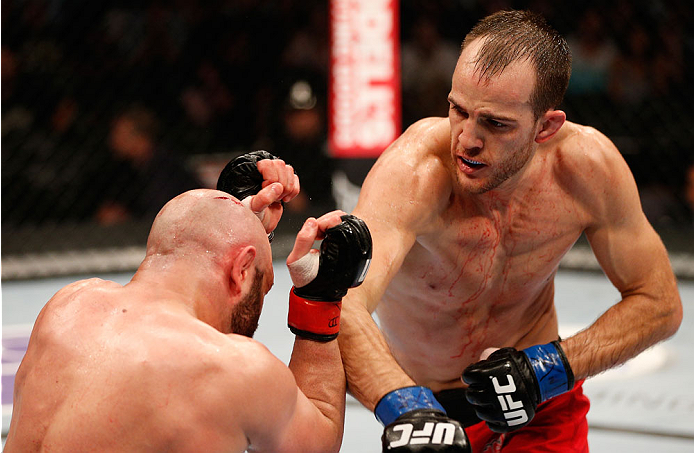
[{"x": 470, "y": 216}]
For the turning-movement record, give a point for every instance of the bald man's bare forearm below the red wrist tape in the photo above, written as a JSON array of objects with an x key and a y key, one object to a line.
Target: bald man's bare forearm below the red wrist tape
[{"x": 317, "y": 369}]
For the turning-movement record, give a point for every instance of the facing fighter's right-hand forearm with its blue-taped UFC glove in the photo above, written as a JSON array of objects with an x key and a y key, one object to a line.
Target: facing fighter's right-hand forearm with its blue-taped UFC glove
[{"x": 541, "y": 372}]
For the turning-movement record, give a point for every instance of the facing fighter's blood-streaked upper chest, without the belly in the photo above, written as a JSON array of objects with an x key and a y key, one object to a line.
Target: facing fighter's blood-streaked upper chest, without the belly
[{"x": 493, "y": 256}]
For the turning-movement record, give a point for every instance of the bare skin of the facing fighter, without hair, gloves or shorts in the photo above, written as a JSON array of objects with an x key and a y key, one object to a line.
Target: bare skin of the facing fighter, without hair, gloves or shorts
[{"x": 466, "y": 251}]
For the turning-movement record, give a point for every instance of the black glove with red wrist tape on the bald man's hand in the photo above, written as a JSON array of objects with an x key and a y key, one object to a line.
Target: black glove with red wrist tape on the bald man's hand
[{"x": 345, "y": 255}]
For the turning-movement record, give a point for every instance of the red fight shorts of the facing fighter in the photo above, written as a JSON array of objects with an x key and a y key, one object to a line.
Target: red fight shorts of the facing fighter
[{"x": 559, "y": 425}]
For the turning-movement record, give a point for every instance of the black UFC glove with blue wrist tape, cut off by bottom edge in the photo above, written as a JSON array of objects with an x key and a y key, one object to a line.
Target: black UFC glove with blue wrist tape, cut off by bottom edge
[{"x": 415, "y": 422}]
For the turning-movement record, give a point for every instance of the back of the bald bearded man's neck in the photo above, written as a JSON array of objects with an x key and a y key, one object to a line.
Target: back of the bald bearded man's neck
[{"x": 198, "y": 287}]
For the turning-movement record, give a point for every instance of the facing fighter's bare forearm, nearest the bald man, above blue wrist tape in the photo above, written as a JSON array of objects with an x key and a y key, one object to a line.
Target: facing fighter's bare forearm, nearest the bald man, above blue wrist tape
[{"x": 371, "y": 369}]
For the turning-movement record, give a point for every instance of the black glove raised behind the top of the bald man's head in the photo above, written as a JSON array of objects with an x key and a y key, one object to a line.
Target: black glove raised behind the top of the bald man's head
[{"x": 240, "y": 177}]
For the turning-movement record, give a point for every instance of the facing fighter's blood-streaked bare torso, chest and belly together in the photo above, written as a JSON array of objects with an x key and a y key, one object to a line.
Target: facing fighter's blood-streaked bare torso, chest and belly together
[{"x": 478, "y": 281}]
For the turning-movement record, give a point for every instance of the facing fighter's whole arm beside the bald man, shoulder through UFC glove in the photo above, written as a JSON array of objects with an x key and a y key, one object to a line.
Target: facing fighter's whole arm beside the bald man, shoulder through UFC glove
[{"x": 402, "y": 197}]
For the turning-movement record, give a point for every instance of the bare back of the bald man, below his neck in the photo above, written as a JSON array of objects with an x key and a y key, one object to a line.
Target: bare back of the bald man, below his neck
[{"x": 127, "y": 373}]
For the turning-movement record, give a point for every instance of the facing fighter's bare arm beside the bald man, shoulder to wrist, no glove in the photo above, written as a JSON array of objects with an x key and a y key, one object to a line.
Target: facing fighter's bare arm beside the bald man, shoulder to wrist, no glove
[{"x": 399, "y": 198}]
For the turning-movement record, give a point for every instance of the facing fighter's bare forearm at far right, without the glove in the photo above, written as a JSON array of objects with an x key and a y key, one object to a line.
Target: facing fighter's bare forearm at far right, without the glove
[{"x": 622, "y": 332}]
